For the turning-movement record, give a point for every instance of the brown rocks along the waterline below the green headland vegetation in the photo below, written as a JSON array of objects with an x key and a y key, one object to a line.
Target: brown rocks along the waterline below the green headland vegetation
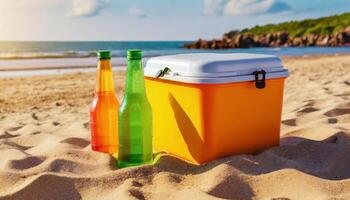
[{"x": 236, "y": 39}]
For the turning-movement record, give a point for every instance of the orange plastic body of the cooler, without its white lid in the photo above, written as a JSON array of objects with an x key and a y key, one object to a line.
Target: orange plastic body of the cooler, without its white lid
[{"x": 202, "y": 122}]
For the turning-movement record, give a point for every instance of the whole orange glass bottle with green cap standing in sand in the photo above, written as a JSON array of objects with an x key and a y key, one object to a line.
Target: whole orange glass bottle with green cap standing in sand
[{"x": 104, "y": 109}]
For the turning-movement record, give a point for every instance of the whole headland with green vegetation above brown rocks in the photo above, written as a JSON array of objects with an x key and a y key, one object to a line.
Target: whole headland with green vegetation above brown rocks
[{"x": 326, "y": 31}]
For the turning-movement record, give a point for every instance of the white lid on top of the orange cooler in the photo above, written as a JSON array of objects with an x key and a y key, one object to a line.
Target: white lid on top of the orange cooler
[{"x": 214, "y": 68}]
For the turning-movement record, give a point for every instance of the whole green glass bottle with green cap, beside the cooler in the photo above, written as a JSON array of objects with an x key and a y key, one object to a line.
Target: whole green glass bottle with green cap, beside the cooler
[{"x": 135, "y": 117}]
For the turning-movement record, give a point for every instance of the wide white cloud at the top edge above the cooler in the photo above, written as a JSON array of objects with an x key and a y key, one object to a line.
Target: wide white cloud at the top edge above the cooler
[{"x": 243, "y": 7}]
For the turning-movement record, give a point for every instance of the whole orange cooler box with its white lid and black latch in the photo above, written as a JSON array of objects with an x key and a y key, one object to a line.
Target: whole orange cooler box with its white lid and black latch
[{"x": 207, "y": 106}]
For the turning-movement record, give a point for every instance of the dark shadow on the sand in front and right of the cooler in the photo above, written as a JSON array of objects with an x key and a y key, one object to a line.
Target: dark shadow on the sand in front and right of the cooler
[{"x": 328, "y": 159}]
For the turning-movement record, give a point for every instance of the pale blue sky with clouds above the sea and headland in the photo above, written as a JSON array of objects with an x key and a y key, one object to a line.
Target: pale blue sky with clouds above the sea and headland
[{"x": 149, "y": 19}]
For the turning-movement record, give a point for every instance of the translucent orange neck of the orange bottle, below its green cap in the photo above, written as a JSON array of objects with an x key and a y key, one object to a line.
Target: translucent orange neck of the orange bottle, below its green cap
[{"x": 104, "y": 77}]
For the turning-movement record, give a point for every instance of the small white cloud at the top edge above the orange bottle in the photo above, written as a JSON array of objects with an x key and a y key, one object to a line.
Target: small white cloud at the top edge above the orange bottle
[{"x": 87, "y": 8}]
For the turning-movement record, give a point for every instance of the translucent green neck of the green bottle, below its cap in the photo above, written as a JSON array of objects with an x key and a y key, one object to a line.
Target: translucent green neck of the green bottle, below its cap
[{"x": 135, "y": 82}]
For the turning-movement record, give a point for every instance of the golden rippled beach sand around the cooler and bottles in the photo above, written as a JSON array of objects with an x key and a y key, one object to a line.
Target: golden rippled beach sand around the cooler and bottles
[{"x": 45, "y": 149}]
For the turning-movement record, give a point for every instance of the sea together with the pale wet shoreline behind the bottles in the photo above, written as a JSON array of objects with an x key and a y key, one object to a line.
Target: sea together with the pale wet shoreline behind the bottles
[{"x": 42, "y": 58}]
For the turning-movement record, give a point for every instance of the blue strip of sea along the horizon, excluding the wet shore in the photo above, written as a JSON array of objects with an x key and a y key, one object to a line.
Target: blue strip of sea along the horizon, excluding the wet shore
[{"x": 25, "y": 50}]
